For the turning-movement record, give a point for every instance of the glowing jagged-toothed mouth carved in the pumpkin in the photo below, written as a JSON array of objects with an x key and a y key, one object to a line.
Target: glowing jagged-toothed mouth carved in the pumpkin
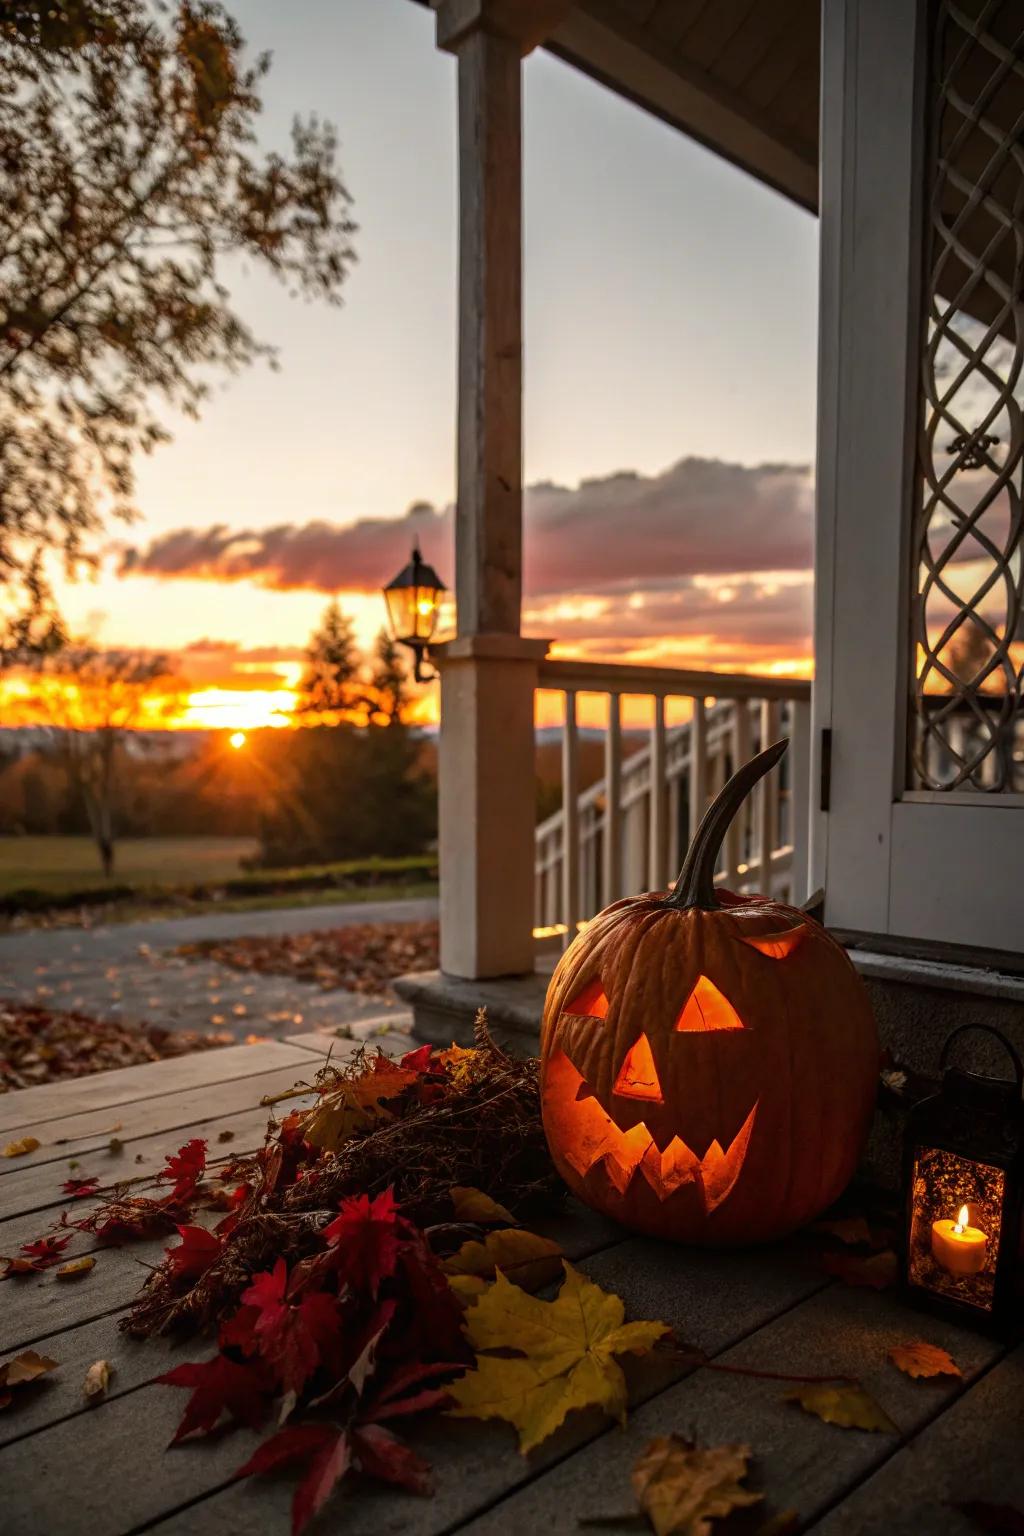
[{"x": 592, "y": 1137}]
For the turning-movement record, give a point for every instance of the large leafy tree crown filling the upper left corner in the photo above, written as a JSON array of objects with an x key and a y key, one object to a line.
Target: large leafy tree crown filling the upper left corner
[{"x": 128, "y": 174}]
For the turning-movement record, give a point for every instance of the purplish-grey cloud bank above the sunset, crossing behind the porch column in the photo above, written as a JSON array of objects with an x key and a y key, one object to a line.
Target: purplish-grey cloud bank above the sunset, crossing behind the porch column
[{"x": 701, "y": 517}]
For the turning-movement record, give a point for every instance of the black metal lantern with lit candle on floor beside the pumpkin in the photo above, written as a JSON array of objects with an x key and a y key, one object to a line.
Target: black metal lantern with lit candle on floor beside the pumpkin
[{"x": 965, "y": 1180}]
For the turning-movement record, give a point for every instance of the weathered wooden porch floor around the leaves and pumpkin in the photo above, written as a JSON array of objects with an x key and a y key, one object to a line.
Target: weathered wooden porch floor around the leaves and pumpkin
[{"x": 70, "y": 1471}]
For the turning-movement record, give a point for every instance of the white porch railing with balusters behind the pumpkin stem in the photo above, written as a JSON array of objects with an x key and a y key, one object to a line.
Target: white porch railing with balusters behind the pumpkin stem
[{"x": 629, "y": 832}]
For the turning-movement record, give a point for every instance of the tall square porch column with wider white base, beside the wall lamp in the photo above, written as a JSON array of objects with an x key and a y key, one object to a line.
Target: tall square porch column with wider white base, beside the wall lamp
[{"x": 489, "y": 672}]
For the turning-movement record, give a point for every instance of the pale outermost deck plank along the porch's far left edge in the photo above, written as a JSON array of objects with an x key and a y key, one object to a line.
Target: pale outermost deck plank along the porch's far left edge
[{"x": 131, "y": 1084}]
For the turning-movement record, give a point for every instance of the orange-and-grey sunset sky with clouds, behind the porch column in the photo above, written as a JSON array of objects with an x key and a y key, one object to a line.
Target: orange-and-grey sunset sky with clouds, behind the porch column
[{"x": 670, "y": 357}]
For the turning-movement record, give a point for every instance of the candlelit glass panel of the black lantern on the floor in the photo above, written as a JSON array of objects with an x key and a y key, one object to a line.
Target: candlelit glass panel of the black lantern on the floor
[{"x": 956, "y": 1226}]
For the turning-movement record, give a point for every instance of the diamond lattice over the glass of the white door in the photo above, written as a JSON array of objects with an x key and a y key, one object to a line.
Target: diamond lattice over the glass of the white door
[{"x": 968, "y": 729}]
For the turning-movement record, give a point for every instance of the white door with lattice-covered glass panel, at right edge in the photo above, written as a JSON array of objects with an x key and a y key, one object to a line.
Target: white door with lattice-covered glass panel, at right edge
[{"x": 920, "y": 594}]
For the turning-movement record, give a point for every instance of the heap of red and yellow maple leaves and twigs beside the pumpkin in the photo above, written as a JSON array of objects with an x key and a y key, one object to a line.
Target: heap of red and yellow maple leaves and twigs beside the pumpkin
[{"x": 368, "y": 1266}]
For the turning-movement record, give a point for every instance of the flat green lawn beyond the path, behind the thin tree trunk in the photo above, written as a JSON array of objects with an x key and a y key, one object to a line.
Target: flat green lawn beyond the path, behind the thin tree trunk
[{"x": 71, "y": 864}]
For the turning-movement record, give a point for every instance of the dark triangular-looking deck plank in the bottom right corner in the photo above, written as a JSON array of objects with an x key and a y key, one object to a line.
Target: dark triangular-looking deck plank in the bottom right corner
[{"x": 971, "y": 1454}]
